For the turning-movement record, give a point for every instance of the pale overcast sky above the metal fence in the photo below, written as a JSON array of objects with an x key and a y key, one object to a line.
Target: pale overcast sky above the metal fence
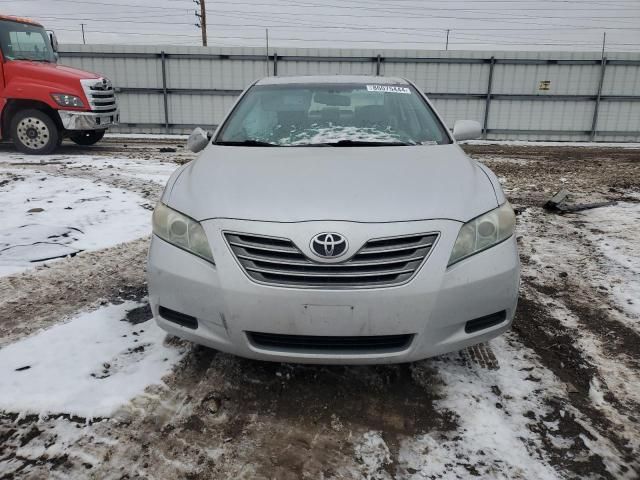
[{"x": 406, "y": 24}]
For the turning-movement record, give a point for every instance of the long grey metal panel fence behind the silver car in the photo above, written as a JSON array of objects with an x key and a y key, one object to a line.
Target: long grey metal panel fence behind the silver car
[{"x": 514, "y": 95}]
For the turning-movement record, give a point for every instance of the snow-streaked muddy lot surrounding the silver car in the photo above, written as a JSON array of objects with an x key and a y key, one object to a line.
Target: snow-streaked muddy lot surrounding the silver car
[{"x": 557, "y": 397}]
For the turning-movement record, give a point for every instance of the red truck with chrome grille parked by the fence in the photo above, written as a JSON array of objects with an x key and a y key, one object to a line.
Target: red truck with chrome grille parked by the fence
[{"x": 42, "y": 102}]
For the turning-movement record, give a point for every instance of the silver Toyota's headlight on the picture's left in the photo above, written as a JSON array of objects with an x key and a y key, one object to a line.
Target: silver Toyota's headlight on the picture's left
[{"x": 181, "y": 231}]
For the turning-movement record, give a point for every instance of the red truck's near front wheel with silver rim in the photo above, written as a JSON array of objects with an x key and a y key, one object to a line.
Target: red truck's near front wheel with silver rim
[{"x": 34, "y": 132}]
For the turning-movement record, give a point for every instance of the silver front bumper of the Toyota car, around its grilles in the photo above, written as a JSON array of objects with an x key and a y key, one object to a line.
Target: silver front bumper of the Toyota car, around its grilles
[{"x": 434, "y": 306}]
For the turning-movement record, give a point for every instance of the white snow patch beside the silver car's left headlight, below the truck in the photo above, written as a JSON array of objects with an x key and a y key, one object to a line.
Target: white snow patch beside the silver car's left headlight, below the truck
[{"x": 45, "y": 216}]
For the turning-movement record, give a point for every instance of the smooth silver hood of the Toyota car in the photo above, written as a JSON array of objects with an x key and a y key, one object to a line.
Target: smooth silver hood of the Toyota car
[{"x": 360, "y": 184}]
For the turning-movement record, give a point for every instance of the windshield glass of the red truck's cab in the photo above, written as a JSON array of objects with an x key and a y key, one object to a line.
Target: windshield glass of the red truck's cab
[{"x": 21, "y": 41}]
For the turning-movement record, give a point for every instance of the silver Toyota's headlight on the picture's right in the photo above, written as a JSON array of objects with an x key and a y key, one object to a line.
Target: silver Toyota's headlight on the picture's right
[{"x": 484, "y": 232}]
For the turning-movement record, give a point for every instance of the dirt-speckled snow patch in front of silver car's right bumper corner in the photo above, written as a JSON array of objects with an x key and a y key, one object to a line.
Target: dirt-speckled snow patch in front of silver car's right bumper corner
[{"x": 500, "y": 414}]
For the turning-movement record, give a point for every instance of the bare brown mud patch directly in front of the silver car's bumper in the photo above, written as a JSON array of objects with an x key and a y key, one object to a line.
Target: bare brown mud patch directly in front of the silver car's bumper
[{"x": 271, "y": 420}]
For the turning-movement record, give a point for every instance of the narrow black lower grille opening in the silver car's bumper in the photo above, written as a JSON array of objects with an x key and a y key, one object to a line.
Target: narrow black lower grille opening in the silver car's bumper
[{"x": 358, "y": 344}]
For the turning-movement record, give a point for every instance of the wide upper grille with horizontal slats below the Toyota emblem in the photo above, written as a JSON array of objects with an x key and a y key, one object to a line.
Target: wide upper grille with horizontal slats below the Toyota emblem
[{"x": 379, "y": 263}]
